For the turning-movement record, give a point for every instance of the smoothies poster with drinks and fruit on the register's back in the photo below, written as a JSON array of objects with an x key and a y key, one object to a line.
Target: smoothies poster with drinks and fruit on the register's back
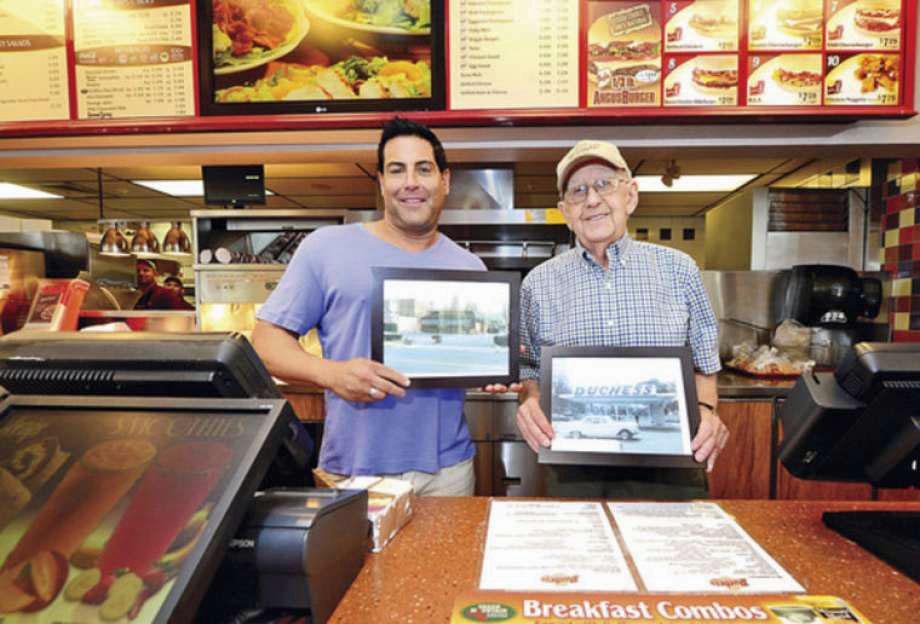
[{"x": 98, "y": 512}]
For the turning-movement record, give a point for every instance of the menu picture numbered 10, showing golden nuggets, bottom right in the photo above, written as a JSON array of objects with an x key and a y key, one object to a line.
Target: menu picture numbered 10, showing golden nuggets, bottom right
[{"x": 862, "y": 79}]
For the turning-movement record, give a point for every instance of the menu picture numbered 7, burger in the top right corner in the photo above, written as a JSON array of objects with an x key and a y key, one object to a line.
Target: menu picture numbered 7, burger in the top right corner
[{"x": 864, "y": 24}]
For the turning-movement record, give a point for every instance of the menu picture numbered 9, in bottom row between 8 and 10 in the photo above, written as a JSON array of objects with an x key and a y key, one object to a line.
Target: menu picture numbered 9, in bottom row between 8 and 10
[{"x": 784, "y": 80}]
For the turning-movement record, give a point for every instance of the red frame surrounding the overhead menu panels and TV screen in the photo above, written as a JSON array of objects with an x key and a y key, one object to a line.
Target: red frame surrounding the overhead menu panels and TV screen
[{"x": 342, "y": 115}]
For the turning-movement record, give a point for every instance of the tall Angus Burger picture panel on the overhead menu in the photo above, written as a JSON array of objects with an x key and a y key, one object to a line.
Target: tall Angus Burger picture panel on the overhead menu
[{"x": 624, "y": 53}]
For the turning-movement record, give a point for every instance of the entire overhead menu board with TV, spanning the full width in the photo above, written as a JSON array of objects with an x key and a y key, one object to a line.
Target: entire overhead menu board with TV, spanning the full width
[{"x": 499, "y": 61}]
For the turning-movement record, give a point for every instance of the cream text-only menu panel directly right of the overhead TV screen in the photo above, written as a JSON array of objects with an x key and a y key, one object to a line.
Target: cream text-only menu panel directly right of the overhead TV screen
[{"x": 499, "y": 60}]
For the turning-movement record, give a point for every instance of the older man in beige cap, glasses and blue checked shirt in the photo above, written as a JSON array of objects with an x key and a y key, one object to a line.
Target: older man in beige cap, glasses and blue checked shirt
[{"x": 613, "y": 291}]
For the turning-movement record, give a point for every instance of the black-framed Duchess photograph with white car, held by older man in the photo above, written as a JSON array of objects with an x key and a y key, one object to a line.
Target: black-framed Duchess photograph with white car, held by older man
[{"x": 633, "y": 406}]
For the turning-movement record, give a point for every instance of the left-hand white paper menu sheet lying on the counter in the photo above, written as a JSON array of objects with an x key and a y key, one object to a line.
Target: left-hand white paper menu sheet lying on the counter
[{"x": 552, "y": 546}]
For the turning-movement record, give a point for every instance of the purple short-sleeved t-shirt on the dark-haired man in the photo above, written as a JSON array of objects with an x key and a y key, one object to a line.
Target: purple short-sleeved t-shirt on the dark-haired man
[{"x": 329, "y": 285}]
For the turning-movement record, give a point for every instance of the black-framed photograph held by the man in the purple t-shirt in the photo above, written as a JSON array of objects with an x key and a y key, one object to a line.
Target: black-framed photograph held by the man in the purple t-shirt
[{"x": 446, "y": 328}]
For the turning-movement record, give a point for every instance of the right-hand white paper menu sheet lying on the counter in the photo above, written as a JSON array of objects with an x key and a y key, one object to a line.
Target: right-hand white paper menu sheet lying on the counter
[{"x": 696, "y": 547}]
